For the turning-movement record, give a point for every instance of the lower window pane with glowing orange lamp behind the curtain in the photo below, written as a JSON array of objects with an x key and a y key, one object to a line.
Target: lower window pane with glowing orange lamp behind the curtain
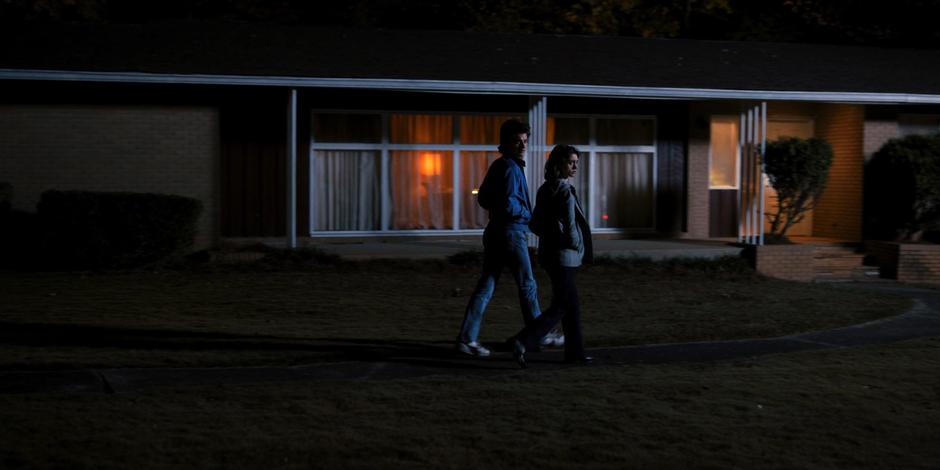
[{"x": 422, "y": 190}]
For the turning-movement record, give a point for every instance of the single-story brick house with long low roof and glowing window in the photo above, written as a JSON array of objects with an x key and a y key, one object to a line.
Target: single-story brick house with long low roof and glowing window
[{"x": 303, "y": 134}]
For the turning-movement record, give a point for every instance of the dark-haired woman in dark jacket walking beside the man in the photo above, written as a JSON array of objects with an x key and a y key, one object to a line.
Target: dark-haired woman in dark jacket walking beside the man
[{"x": 564, "y": 244}]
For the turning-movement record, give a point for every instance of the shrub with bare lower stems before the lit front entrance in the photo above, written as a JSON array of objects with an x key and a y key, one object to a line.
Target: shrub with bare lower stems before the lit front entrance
[{"x": 797, "y": 169}]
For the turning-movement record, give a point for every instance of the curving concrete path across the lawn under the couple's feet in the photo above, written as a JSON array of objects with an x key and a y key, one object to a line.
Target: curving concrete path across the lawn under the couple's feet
[{"x": 369, "y": 360}]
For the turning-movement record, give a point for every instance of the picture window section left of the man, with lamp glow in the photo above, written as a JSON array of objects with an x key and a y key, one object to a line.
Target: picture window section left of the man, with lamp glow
[{"x": 399, "y": 172}]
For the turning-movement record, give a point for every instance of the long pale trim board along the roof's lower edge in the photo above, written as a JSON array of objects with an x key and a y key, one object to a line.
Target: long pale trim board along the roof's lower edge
[{"x": 471, "y": 87}]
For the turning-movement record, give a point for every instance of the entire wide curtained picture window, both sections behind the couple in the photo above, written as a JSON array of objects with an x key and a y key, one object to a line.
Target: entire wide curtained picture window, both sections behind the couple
[{"x": 420, "y": 172}]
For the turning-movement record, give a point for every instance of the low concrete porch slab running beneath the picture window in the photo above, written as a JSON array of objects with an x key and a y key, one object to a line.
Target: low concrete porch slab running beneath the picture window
[{"x": 439, "y": 249}]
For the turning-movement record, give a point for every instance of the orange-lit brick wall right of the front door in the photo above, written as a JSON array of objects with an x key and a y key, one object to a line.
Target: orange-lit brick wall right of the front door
[{"x": 839, "y": 212}]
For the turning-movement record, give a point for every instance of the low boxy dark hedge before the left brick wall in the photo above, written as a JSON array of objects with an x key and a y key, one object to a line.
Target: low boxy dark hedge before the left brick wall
[{"x": 83, "y": 229}]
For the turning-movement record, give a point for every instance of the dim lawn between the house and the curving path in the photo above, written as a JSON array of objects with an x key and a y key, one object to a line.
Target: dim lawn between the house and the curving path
[{"x": 300, "y": 313}]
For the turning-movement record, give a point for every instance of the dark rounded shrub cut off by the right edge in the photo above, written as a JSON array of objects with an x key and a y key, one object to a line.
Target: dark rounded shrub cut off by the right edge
[{"x": 902, "y": 189}]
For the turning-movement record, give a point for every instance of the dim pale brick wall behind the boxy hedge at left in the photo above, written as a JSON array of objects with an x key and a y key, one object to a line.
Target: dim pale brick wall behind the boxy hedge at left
[{"x": 170, "y": 150}]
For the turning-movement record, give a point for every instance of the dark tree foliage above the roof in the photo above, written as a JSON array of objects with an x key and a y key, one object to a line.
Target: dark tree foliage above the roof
[{"x": 908, "y": 23}]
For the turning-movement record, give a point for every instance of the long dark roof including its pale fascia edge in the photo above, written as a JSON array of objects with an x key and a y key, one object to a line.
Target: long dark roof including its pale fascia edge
[{"x": 447, "y": 61}]
